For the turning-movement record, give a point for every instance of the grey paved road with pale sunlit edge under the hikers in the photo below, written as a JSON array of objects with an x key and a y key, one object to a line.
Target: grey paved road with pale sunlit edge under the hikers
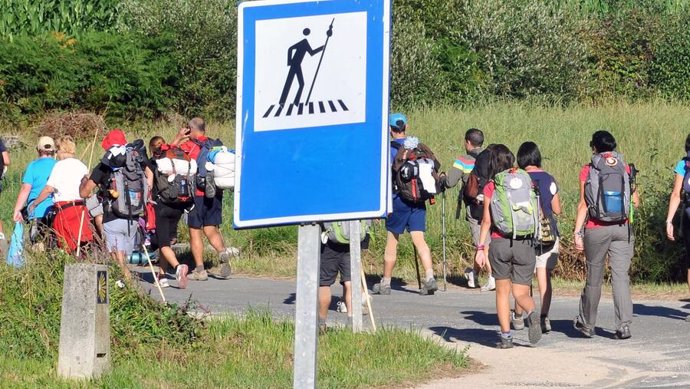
[{"x": 657, "y": 356}]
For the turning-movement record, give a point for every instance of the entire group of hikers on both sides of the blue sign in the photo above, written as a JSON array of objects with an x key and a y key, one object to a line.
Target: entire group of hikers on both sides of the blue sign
[{"x": 510, "y": 205}]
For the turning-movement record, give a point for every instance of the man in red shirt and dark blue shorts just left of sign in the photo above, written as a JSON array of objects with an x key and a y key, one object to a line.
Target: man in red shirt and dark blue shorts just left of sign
[{"x": 206, "y": 215}]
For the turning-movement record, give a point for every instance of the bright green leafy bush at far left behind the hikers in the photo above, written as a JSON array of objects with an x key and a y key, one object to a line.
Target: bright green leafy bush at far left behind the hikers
[{"x": 123, "y": 75}]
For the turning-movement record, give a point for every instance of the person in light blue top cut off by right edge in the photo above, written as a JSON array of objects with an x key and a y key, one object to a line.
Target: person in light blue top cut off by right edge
[{"x": 680, "y": 198}]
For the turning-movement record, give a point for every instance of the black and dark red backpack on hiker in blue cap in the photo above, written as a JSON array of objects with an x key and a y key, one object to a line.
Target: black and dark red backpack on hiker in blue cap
[{"x": 415, "y": 171}]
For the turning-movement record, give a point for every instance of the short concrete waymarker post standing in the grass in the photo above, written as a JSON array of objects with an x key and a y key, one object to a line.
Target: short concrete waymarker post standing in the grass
[{"x": 85, "y": 322}]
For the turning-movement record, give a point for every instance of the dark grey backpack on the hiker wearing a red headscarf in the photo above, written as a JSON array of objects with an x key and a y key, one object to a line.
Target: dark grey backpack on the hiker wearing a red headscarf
[{"x": 127, "y": 187}]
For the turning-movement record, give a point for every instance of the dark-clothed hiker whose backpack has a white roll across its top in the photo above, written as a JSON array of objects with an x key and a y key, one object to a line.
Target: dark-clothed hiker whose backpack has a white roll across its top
[{"x": 173, "y": 189}]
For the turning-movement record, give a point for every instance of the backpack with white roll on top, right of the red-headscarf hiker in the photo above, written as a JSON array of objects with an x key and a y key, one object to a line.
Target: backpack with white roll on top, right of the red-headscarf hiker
[{"x": 175, "y": 177}]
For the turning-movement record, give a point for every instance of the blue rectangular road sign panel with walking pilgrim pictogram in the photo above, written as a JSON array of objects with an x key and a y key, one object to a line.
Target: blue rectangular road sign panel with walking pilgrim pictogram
[{"x": 312, "y": 109}]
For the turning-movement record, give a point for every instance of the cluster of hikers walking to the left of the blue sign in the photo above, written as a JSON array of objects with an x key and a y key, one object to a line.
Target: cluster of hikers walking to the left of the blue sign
[{"x": 132, "y": 200}]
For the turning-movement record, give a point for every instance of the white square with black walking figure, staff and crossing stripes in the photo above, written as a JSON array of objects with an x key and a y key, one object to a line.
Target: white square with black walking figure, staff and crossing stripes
[{"x": 310, "y": 71}]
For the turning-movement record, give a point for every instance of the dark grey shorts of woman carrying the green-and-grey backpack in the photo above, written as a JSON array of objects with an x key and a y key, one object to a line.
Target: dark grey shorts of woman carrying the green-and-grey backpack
[{"x": 512, "y": 259}]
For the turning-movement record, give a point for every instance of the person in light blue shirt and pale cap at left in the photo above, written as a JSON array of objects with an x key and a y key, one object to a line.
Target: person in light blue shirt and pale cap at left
[{"x": 34, "y": 180}]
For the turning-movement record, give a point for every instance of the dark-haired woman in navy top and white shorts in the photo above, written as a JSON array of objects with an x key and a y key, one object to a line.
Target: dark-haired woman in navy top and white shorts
[{"x": 547, "y": 240}]
